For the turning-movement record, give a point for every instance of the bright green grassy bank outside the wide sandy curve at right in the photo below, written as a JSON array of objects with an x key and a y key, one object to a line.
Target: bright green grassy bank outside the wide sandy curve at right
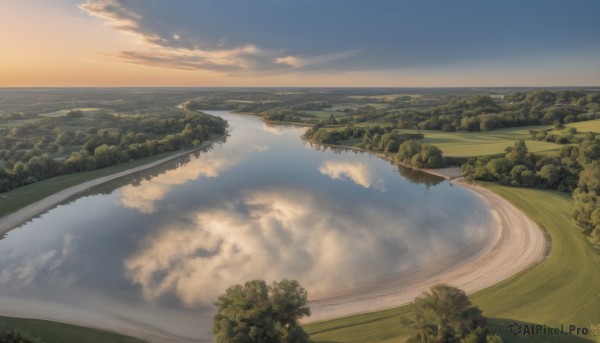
[{"x": 563, "y": 289}]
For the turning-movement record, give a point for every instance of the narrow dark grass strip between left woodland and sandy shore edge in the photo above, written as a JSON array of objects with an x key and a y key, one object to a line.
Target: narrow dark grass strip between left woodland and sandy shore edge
[{"x": 26, "y": 195}]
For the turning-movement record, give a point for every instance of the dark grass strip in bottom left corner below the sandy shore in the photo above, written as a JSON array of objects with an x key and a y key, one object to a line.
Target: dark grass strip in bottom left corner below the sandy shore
[{"x": 52, "y": 332}]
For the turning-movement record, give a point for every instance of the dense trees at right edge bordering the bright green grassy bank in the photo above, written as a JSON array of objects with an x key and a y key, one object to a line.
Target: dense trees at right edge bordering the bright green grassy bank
[{"x": 575, "y": 170}]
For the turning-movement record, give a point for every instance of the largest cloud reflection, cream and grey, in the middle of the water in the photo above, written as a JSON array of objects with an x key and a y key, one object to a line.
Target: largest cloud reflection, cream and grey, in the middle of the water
[{"x": 272, "y": 234}]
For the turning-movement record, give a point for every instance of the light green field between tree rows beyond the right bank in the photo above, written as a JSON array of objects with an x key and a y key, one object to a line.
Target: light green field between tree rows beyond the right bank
[{"x": 466, "y": 144}]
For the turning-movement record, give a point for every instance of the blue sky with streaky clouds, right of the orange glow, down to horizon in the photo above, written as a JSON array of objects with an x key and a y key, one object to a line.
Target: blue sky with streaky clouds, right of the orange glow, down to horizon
[{"x": 455, "y": 42}]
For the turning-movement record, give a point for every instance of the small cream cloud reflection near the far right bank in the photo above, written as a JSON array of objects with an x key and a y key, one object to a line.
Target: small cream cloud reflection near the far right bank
[{"x": 360, "y": 173}]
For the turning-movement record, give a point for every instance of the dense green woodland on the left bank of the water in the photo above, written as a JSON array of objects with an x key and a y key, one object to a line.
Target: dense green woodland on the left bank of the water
[{"x": 40, "y": 149}]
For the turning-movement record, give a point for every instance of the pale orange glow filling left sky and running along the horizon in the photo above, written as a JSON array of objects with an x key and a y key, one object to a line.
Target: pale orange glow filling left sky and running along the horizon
[{"x": 60, "y": 46}]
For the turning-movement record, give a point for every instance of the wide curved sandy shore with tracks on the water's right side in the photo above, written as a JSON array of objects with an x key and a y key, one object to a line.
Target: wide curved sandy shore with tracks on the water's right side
[{"x": 518, "y": 244}]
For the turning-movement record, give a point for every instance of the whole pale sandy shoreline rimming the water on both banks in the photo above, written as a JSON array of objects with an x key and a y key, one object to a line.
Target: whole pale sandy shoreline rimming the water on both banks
[{"x": 518, "y": 244}]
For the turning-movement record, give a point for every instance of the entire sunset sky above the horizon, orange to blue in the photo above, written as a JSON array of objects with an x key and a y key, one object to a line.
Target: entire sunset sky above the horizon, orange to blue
[{"x": 305, "y": 43}]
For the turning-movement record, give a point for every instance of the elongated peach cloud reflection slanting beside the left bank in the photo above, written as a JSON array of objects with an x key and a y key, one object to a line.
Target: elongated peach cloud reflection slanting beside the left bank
[{"x": 143, "y": 197}]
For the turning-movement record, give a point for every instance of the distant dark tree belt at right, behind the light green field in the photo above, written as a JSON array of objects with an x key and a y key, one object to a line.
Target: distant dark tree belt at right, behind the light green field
[{"x": 484, "y": 113}]
